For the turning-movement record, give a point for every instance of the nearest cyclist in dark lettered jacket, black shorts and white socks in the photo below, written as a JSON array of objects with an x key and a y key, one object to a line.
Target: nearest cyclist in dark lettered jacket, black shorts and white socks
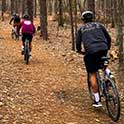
[{"x": 96, "y": 42}]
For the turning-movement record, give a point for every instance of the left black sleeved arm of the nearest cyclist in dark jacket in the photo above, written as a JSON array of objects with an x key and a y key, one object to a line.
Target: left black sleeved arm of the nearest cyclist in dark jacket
[{"x": 78, "y": 40}]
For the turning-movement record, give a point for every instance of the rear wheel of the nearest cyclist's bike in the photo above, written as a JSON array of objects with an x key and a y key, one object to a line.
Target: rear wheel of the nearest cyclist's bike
[{"x": 112, "y": 100}]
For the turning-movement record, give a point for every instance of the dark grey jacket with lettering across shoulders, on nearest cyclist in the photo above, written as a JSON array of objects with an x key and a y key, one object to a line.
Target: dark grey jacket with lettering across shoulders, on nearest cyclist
[{"x": 94, "y": 37}]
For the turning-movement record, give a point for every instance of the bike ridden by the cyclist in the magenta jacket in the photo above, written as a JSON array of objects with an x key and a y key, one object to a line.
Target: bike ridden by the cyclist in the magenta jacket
[{"x": 26, "y": 52}]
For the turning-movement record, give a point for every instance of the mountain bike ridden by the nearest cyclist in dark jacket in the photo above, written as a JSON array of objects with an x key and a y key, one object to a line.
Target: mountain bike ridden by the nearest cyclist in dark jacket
[{"x": 108, "y": 90}]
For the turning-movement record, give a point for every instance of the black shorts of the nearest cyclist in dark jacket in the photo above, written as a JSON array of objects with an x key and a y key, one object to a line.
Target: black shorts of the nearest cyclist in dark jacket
[{"x": 92, "y": 61}]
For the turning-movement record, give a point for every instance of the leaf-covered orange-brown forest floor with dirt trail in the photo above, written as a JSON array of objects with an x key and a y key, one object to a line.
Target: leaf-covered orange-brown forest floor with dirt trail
[{"x": 52, "y": 89}]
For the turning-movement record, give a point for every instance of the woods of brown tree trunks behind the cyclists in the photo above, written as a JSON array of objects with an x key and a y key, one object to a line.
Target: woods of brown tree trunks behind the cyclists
[{"x": 67, "y": 12}]
